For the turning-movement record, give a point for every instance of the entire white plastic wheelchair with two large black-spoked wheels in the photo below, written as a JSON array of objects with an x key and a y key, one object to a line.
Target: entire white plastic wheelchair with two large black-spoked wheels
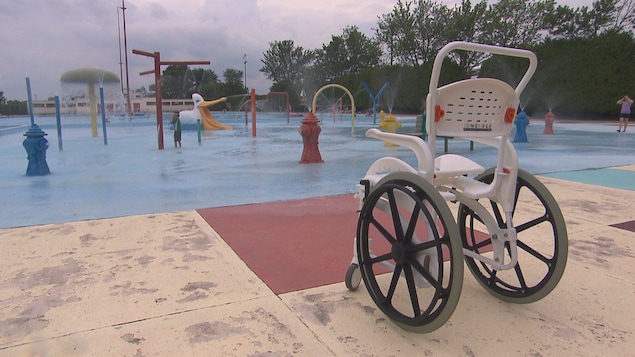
[{"x": 409, "y": 248}]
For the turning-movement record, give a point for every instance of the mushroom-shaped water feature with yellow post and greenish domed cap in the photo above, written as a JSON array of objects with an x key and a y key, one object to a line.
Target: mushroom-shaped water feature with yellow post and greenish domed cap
[{"x": 84, "y": 80}]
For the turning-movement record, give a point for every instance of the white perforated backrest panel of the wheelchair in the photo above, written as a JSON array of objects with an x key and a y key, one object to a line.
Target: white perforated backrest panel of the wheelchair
[{"x": 478, "y": 107}]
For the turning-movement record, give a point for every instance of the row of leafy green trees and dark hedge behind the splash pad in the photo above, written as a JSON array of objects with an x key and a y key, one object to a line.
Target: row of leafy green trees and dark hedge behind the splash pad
[{"x": 586, "y": 54}]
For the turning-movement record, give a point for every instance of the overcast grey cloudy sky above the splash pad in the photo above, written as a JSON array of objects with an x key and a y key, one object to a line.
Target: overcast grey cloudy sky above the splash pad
[{"x": 42, "y": 39}]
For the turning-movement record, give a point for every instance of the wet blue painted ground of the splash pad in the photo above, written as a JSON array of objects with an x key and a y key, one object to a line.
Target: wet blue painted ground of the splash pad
[{"x": 130, "y": 175}]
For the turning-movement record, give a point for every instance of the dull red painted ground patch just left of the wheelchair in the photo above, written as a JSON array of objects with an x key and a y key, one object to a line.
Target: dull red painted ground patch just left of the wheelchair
[{"x": 291, "y": 245}]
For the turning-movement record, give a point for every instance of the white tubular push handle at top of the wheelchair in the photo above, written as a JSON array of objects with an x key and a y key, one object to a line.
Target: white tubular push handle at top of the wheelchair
[{"x": 477, "y": 47}]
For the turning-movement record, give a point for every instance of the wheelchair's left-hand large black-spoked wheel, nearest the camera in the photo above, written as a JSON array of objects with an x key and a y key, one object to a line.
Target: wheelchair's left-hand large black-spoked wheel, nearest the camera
[{"x": 423, "y": 289}]
